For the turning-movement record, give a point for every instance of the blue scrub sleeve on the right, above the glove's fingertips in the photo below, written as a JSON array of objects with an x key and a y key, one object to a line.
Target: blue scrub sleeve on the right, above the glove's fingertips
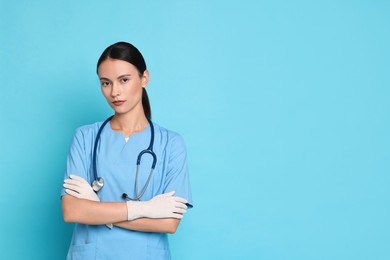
[{"x": 177, "y": 178}]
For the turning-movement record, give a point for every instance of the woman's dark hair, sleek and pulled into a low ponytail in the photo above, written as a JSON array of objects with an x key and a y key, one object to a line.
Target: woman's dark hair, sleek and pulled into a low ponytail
[{"x": 128, "y": 52}]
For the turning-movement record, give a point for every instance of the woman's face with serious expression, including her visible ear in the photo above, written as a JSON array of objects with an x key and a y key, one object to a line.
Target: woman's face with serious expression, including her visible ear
[{"x": 122, "y": 86}]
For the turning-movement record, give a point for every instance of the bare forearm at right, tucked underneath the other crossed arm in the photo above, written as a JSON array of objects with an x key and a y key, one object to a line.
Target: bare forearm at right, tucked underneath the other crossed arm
[{"x": 162, "y": 225}]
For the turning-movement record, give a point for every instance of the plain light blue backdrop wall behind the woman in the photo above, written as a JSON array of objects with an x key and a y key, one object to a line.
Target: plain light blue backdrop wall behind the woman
[{"x": 283, "y": 105}]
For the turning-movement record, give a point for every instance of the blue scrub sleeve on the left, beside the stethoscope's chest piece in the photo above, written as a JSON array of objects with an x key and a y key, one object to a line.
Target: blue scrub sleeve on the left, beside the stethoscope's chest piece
[{"x": 76, "y": 162}]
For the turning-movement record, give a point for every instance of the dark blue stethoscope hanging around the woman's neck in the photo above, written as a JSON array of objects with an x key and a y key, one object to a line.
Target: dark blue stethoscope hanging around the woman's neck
[{"x": 98, "y": 182}]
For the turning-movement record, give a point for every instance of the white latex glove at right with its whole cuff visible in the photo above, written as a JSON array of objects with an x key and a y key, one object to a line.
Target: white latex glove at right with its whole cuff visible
[{"x": 162, "y": 206}]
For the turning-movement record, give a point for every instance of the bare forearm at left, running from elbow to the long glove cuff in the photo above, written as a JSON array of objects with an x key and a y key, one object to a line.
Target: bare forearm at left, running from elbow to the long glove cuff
[{"x": 92, "y": 212}]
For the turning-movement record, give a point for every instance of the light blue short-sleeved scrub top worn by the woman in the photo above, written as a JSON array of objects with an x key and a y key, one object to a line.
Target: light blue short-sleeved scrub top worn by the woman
[{"x": 116, "y": 163}]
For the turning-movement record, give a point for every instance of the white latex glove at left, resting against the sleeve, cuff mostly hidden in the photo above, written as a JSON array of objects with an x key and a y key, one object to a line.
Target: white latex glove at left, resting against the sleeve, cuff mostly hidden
[{"x": 80, "y": 188}]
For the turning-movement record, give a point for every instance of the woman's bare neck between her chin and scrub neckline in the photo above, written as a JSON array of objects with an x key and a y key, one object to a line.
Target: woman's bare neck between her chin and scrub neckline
[{"x": 131, "y": 122}]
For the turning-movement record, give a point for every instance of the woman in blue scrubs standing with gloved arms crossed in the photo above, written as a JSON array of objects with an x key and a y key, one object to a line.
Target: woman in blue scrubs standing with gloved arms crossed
[{"x": 109, "y": 226}]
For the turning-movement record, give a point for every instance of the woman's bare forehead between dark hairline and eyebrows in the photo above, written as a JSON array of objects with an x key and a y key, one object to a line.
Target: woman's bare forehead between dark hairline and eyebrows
[{"x": 113, "y": 68}]
